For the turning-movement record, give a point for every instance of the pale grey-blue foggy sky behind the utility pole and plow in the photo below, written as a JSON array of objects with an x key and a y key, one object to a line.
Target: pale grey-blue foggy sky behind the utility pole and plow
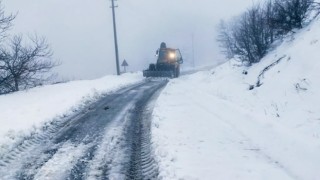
[{"x": 81, "y": 35}]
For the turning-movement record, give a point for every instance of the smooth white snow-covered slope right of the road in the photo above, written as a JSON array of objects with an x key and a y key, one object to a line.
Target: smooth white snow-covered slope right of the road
[{"x": 210, "y": 125}]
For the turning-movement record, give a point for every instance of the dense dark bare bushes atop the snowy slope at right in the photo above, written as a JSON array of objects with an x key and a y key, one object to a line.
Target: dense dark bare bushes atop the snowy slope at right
[{"x": 251, "y": 35}]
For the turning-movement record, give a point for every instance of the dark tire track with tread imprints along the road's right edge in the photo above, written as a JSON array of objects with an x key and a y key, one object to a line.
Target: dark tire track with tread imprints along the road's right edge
[{"x": 142, "y": 163}]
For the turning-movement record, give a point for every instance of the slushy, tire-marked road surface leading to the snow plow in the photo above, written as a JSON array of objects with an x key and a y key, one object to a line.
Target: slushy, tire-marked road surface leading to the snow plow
[{"x": 108, "y": 140}]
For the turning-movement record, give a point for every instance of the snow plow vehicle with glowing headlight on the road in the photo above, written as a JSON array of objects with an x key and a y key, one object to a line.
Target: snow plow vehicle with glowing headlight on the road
[{"x": 168, "y": 63}]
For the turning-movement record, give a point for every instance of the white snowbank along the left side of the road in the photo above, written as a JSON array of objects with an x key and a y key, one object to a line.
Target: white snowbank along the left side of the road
[{"x": 26, "y": 111}]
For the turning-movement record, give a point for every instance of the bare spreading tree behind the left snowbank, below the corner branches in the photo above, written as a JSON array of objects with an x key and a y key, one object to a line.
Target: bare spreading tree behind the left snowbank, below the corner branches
[{"x": 26, "y": 64}]
